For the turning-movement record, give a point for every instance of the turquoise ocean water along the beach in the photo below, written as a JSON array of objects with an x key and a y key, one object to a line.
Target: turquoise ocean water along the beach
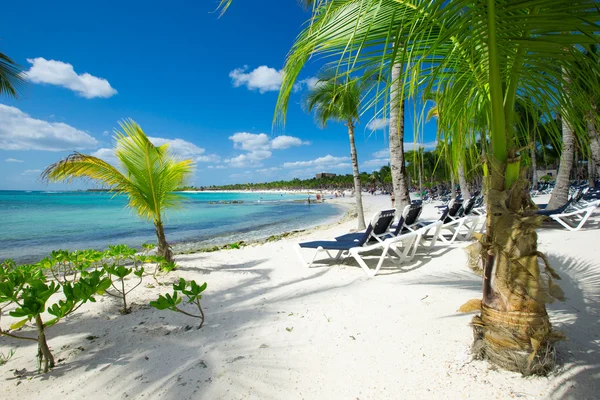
[{"x": 34, "y": 223}]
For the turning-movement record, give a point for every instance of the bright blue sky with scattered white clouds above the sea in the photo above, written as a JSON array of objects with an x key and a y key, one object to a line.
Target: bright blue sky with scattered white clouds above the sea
[{"x": 205, "y": 84}]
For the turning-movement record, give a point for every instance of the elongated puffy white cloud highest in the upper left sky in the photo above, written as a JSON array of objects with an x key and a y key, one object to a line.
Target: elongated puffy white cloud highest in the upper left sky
[{"x": 63, "y": 74}]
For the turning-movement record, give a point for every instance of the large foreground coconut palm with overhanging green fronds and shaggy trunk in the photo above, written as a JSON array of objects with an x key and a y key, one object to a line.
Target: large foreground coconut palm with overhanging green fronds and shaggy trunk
[{"x": 481, "y": 55}]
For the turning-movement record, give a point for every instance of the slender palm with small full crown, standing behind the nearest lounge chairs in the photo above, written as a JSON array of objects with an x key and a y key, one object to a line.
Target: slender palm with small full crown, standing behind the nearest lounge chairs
[{"x": 339, "y": 100}]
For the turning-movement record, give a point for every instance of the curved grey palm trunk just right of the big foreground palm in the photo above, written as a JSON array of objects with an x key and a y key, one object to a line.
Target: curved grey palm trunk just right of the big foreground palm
[{"x": 560, "y": 193}]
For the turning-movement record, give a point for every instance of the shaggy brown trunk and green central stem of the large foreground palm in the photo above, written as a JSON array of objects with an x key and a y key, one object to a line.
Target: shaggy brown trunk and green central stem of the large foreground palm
[{"x": 513, "y": 329}]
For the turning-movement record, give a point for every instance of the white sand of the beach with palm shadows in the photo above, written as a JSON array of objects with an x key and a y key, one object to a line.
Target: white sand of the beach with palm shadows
[{"x": 277, "y": 330}]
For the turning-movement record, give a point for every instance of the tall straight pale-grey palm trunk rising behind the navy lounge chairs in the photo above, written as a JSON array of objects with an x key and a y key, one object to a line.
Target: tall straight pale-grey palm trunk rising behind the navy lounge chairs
[{"x": 397, "y": 163}]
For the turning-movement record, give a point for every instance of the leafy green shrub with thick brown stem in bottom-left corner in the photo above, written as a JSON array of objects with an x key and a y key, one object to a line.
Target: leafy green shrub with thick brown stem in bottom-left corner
[{"x": 27, "y": 290}]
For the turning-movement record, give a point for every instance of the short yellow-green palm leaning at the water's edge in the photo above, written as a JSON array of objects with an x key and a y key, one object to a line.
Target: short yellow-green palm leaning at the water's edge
[{"x": 149, "y": 176}]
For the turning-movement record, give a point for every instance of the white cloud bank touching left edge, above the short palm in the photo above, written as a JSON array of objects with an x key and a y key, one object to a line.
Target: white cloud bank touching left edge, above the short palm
[{"x": 19, "y": 131}]
